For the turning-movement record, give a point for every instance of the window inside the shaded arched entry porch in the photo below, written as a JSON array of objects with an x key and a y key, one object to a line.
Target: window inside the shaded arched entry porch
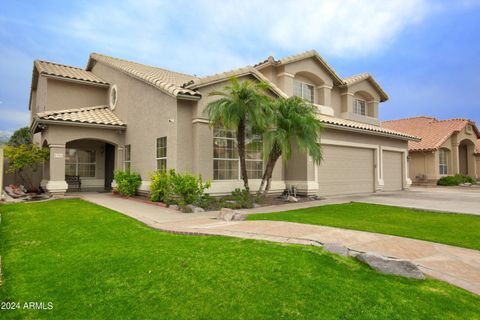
[{"x": 80, "y": 163}]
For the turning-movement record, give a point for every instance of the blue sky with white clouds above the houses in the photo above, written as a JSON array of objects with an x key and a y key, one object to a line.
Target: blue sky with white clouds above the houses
[{"x": 424, "y": 53}]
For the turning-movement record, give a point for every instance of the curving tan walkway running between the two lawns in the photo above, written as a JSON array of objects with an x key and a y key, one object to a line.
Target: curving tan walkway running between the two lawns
[{"x": 458, "y": 266}]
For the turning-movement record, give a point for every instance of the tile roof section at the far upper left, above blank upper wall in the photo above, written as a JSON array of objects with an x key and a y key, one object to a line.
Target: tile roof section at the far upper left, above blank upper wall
[{"x": 63, "y": 71}]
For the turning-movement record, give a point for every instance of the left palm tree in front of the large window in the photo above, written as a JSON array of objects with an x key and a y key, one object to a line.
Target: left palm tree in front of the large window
[{"x": 245, "y": 107}]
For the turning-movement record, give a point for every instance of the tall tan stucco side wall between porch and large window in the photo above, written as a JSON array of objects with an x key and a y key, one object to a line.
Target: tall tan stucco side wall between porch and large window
[{"x": 146, "y": 111}]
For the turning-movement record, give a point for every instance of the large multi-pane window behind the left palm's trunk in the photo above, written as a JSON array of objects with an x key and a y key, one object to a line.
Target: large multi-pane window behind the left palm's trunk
[{"x": 226, "y": 163}]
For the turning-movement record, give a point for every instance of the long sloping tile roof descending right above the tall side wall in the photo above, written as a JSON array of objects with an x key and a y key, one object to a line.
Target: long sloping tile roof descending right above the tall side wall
[{"x": 168, "y": 81}]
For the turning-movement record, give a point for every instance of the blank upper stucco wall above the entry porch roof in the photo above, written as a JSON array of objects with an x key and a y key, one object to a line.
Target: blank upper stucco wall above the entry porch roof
[{"x": 67, "y": 95}]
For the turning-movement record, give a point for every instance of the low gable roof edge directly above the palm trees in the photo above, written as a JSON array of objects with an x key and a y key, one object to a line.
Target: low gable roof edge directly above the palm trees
[{"x": 219, "y": 77}]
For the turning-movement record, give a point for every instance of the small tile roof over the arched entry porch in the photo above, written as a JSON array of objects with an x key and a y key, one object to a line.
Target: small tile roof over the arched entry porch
[{"x": 93, "y": 115}]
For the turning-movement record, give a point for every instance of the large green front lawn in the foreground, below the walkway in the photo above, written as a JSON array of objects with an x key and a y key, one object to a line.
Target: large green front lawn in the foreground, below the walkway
[{"x": 94, "y": 263}]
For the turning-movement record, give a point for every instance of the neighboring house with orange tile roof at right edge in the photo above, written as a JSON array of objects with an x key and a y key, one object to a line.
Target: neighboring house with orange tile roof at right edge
[{"x": 448, "y": 147}]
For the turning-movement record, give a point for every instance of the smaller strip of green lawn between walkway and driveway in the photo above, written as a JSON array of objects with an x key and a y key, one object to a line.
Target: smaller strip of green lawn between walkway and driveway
[{"x": 455, "y": 229}]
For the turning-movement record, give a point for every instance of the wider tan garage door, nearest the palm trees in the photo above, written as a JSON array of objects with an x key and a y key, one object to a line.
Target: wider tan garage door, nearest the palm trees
[{"x": 346, "y": 170}]
